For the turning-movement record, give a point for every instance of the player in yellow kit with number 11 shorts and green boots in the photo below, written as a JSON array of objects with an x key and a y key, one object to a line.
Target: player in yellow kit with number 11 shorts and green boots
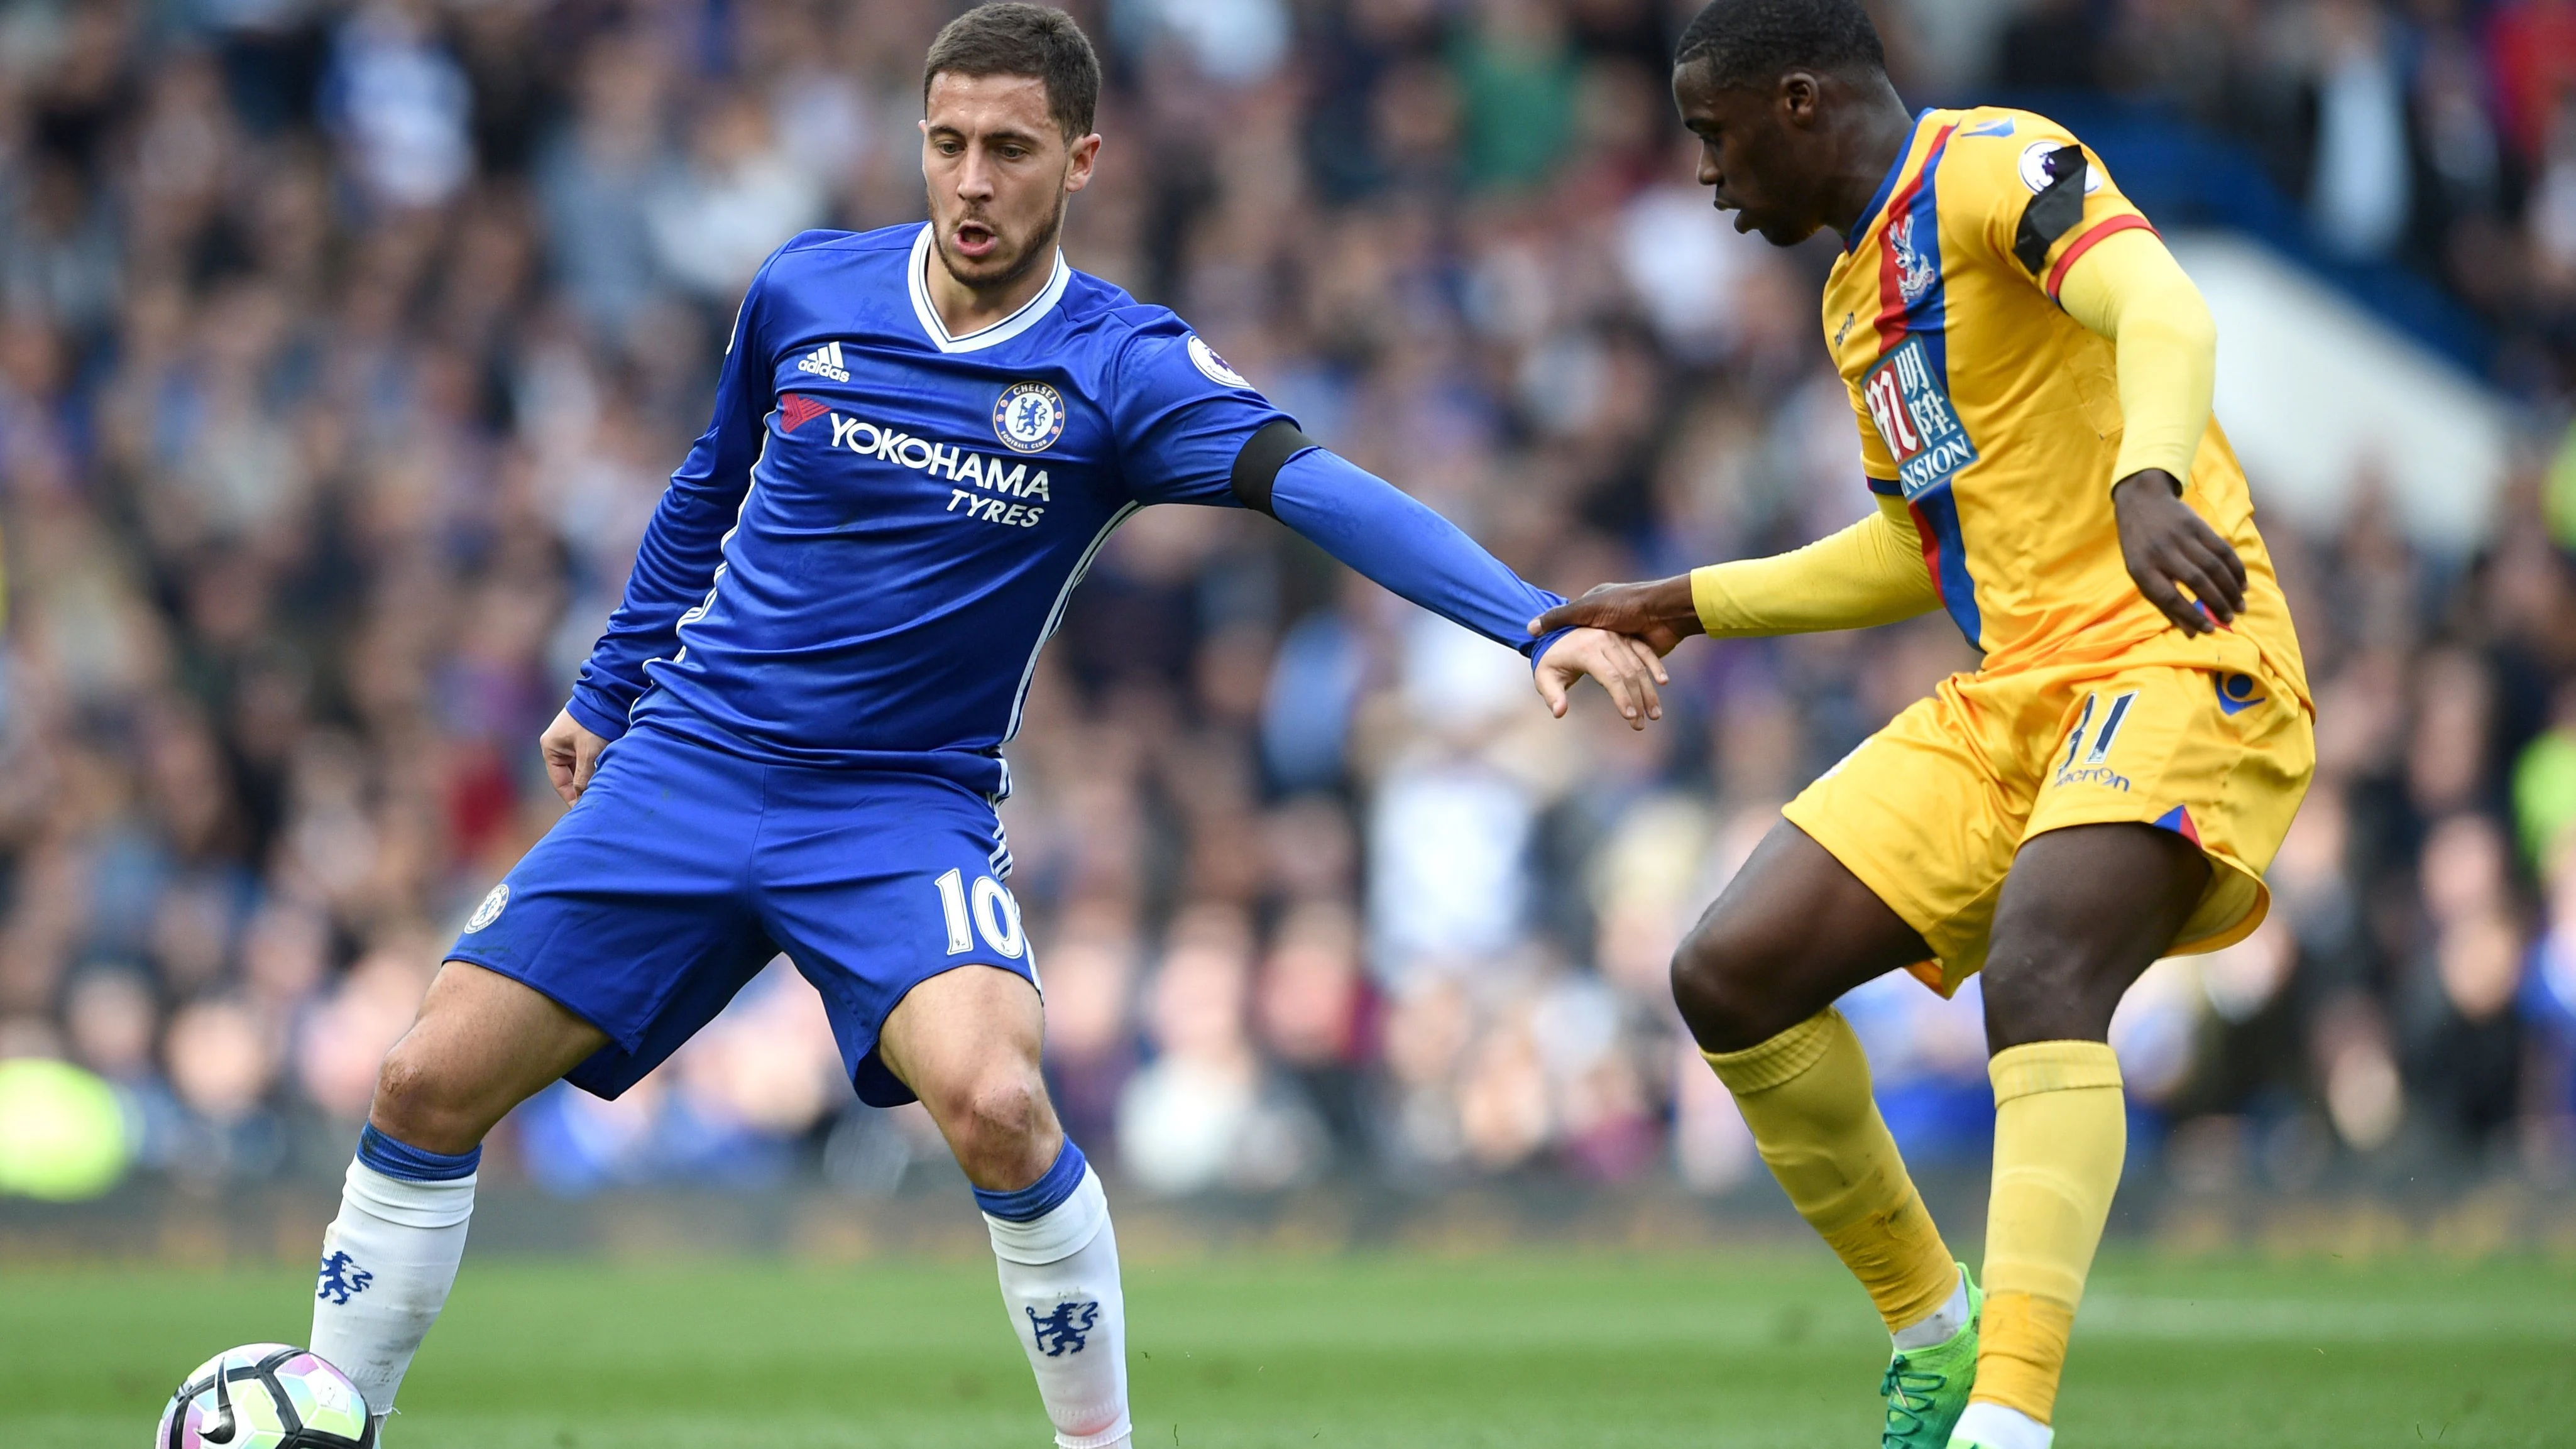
[{"x": 2031, "y": 374}]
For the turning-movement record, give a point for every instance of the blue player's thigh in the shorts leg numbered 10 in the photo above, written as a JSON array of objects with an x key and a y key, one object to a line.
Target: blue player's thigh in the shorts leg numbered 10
[{"x": 882, "y": 889}]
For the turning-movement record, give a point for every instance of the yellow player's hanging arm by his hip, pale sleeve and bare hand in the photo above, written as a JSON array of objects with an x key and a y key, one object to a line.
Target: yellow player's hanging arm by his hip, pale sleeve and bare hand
[{"x": 2137, "y": 295}]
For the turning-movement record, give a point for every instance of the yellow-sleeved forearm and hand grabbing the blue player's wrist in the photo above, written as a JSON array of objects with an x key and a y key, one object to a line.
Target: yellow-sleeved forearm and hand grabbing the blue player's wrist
[{"x": 1871, "y": 573}]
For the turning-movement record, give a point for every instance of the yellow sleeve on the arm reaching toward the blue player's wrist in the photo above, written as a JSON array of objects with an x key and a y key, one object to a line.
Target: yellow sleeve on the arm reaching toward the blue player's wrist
[{"x": 1866, "y": 575}]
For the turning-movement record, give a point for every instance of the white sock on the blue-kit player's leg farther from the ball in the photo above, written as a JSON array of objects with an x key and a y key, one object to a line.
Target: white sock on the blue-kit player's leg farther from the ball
[{"x": 1060, "y": 1278}]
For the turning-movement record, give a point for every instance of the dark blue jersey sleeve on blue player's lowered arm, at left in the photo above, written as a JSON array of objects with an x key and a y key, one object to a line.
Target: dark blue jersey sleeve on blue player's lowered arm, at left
[{"x": 684, "y": 544}]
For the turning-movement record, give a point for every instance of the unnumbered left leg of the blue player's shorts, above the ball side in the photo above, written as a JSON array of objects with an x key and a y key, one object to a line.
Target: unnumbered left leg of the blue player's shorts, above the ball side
[{"x": 632, "y": 912}]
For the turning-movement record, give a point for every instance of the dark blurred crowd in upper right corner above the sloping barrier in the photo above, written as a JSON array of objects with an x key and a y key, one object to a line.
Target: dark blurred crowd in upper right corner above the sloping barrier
[{"x": 2436, "y": 135}]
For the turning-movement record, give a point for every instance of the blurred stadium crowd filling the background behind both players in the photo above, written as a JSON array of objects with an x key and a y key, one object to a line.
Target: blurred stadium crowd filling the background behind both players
[{"x": 344, "y": 349}]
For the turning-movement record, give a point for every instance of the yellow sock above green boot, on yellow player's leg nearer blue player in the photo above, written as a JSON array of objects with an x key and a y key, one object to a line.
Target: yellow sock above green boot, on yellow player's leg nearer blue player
[{"x": 1807, "y": 1098}]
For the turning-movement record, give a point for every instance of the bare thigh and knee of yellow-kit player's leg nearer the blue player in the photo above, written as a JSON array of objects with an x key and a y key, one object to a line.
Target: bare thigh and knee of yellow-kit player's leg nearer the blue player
[{"x": 1789, "y": 936}]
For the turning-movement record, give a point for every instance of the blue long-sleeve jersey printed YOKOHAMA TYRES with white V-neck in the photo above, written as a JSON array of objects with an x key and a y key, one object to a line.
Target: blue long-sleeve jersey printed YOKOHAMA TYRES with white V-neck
[{"x": 877, "y": 534}]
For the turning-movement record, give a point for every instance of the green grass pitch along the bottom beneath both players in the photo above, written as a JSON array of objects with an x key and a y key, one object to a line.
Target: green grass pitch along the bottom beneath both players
[{"x": 1531, "y": 1352}]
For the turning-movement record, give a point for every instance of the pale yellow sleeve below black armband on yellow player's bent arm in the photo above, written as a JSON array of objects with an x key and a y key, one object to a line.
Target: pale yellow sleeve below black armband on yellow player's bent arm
[{"x": 2137, "y": 295}]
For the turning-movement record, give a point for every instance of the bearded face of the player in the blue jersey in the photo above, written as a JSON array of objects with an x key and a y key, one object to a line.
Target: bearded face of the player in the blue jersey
[{"x": 1001, "y": 176}]
